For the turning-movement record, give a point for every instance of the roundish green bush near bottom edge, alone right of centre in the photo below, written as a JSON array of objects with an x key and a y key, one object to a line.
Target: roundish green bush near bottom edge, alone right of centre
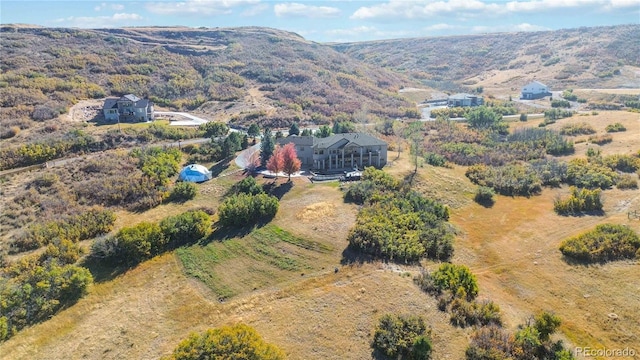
[{"x": 402, "y": 337}]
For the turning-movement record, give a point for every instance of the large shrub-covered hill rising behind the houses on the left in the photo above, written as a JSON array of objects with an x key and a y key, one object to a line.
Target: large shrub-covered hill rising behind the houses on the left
[{"x": 265, "y": 75}]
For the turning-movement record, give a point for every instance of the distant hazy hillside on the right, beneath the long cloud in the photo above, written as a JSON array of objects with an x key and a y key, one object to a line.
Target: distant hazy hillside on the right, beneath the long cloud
[{"x": 595, "y": 57}]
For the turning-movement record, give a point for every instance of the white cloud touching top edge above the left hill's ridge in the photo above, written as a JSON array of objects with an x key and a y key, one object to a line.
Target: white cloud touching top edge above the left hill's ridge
[{"x": 197, "y": 7}]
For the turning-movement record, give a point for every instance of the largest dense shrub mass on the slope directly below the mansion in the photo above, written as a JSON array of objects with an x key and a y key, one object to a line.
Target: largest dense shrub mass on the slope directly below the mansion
[{"x": 398, "y": 224}]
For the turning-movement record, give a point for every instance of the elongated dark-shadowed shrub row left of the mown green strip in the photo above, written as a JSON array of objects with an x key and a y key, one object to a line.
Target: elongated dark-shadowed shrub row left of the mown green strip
[{"x": 133, "y": 245}]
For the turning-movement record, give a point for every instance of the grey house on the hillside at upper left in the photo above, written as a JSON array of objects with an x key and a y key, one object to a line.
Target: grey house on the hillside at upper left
[{"x": 128, "y": 108}]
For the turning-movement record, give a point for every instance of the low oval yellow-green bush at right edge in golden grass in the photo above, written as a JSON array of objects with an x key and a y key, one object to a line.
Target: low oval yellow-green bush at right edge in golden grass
[{"x": 607, "y": 242}]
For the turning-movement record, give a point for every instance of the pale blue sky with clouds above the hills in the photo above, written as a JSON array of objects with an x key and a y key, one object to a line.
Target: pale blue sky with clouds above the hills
[{"x": 332, "y": 20}]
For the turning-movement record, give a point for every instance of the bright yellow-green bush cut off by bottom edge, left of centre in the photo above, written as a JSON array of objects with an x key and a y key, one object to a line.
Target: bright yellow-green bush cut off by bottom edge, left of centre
[{"x": 228, "y": 342}]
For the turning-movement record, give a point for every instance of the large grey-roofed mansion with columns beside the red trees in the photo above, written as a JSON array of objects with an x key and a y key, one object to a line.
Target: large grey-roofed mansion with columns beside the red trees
[{"x": 338, "y": 152}]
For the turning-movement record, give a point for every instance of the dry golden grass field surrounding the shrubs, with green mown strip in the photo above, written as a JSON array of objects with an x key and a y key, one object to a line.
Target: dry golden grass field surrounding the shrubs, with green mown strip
[{"x": 280, "y": 278}]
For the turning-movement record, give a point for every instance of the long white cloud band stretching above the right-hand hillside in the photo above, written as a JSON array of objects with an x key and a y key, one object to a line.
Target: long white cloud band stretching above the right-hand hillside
[{"x": 423, "y": 9}]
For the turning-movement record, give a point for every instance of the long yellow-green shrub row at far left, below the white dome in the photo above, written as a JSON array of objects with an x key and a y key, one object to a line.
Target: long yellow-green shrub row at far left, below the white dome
[{"x": 74, "y": 228}]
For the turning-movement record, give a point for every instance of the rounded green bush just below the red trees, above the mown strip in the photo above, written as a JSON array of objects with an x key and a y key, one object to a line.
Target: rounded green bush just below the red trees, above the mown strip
[{"x": 245, "y": 209}]
